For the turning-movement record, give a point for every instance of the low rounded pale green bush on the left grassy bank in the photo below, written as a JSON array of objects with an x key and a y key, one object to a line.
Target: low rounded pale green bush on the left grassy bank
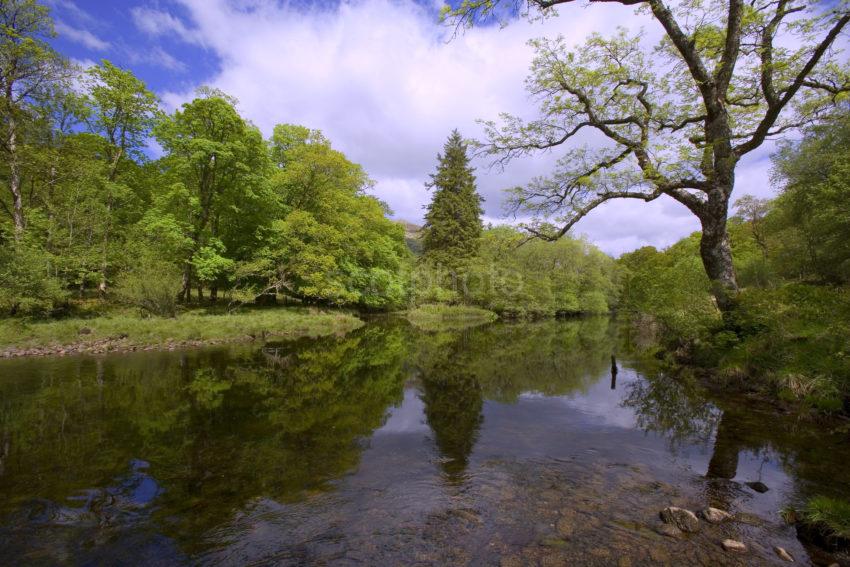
[{"x": 152, "y": 286}]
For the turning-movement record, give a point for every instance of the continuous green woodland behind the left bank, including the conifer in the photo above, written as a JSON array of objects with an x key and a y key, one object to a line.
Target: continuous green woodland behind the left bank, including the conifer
[{"x": 110, "y": 202}]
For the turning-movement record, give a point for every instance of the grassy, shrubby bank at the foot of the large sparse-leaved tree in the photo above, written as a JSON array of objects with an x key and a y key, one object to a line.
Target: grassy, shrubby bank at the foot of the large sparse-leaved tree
[{"x": 790, "y": 344}]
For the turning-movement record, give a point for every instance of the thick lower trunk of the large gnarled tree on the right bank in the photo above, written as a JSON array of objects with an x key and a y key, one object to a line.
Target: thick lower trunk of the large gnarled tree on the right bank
[{"x": 716, "y": 253}]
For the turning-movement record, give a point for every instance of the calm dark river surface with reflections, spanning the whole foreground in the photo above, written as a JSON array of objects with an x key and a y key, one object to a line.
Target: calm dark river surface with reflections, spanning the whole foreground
[{"x": 506, "y": 444}]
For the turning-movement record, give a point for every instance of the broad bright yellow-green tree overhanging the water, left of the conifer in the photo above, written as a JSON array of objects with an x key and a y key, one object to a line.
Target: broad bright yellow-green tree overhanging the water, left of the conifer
[{"x": 329, "y": 242}]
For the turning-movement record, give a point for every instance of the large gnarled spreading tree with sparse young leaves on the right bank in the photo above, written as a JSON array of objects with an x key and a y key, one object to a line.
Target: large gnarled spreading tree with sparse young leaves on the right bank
[{"x": 727, "y": 76}]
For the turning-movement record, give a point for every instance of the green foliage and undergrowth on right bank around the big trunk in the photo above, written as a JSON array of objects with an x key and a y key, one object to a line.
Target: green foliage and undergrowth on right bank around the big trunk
[{"x": 788, "y": 333}]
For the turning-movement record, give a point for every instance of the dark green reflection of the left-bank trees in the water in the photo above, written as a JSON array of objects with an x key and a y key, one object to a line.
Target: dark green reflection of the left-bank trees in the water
[{"x": 220, "y": 427}]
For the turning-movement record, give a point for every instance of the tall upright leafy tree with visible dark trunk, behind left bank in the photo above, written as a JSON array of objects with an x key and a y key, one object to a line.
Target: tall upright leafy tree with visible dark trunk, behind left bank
[{"x": 217, "y": 163}]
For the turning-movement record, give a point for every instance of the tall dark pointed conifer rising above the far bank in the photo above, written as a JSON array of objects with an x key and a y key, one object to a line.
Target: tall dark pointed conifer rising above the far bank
[{"x": 453, "y": 221}]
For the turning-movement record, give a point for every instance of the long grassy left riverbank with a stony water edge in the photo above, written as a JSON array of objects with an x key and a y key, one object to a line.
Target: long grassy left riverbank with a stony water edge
[{"x": 125, "y": 332}]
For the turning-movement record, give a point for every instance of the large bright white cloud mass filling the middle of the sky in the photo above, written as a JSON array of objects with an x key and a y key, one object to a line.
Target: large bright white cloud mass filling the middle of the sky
[{"x": 387, "y": 83}]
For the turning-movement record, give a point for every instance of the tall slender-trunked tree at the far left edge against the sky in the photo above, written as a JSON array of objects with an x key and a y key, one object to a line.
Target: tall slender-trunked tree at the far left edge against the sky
[{"x": 28, "y": 68}]
